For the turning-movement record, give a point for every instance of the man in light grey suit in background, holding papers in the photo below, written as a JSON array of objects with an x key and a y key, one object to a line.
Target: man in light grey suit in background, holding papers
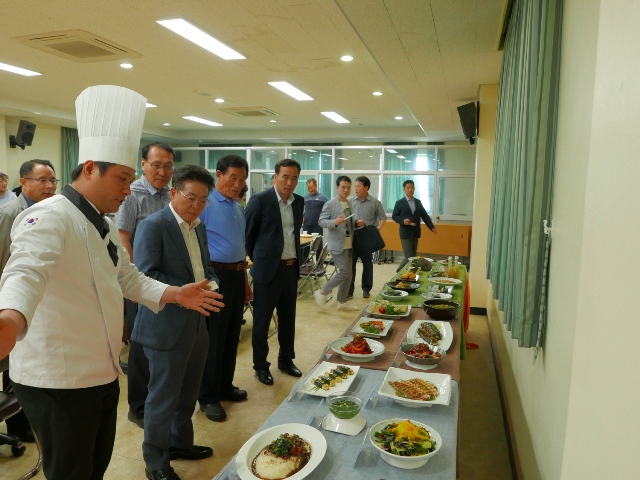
[{"x": 337, "y": 218}]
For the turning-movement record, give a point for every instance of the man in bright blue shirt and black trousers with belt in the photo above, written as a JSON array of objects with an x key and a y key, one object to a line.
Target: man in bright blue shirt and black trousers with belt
[{"x": 225, "y": 223}]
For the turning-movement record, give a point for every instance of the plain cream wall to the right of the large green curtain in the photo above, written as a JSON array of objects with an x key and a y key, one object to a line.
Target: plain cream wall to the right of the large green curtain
[{"x": 574, "y": 412}]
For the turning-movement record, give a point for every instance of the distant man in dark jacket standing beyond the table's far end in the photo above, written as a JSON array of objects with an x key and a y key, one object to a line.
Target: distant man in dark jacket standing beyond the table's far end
[{"x": 407, "y": 213}]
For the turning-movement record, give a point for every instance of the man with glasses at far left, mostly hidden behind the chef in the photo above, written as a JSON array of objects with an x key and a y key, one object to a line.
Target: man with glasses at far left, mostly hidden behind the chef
[{"x": 38, "y": 181}]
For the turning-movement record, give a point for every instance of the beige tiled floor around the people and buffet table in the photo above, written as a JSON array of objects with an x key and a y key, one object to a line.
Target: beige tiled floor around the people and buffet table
[{"x": 483, "y": 441}]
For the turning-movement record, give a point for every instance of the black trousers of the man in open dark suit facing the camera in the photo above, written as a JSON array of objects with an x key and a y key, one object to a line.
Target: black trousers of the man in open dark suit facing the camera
[{"x": 281, "y": 293}]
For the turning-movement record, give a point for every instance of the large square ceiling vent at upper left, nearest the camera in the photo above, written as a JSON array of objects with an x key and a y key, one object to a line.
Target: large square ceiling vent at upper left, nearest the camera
[{"x": 78, "y": 45}]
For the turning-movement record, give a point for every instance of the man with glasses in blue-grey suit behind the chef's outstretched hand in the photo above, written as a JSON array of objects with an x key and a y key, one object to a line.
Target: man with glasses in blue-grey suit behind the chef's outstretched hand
[{"x": 171, "y": 246}]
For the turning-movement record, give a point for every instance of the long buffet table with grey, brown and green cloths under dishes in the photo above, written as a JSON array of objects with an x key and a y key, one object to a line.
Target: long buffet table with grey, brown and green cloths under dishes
[{"x": 354, "y": 457}]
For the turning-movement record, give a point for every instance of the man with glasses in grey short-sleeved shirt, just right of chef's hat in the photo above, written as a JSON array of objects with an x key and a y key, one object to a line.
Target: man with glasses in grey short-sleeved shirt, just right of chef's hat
[{"x": 149, "y": 194}]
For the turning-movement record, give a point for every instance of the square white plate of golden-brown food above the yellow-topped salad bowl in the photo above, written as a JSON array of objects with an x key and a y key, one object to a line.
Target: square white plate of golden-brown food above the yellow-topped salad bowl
[{"x": 416, "y": 389}]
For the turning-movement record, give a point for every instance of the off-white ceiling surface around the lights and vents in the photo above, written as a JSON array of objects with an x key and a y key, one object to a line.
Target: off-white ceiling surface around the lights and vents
[{"x": 427, "y": 57}]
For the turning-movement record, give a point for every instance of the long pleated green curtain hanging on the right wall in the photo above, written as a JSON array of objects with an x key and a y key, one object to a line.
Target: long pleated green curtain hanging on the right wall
[{"x": 523, "y": 166}]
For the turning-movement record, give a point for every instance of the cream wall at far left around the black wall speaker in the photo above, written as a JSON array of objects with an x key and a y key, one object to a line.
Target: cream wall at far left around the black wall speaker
[{"x": 47, "y": 145}]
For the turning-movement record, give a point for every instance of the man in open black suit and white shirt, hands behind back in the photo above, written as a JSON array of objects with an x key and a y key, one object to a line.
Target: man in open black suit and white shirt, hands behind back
[{"x": 274, "y": 218}]
